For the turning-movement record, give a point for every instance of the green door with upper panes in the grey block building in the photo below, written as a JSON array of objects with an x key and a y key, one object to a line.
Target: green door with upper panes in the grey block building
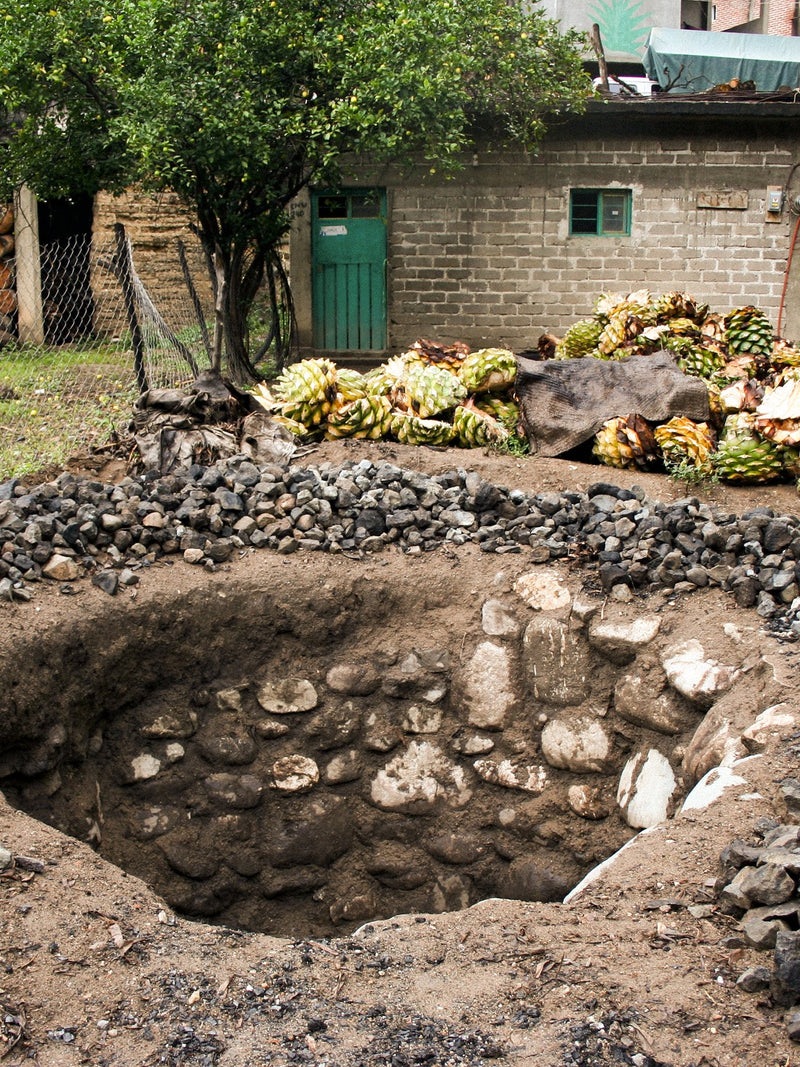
[{"x": 349, "y": 270}]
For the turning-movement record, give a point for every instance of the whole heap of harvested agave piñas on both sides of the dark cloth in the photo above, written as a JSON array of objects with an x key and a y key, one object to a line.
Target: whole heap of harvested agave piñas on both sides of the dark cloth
[{"x": 447, "y": 395}]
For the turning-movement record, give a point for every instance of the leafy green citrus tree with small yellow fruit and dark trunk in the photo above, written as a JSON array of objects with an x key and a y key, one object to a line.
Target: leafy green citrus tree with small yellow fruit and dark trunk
[{"x": 237, "y": 105}]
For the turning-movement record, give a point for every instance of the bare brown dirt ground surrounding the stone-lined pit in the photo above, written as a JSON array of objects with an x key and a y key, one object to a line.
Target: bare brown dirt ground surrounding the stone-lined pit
[{"x": 95, "y": 969}]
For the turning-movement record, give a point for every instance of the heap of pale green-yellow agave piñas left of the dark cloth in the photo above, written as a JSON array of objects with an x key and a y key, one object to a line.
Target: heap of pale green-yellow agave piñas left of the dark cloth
[{"x": 430, "y": 395}]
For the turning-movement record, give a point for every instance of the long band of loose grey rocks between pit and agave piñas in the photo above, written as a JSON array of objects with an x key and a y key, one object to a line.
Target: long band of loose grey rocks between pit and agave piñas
[{"x": 75, "y": 527}]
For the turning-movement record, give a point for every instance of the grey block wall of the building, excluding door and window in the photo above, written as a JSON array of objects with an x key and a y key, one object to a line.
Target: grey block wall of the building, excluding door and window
[{"x": 487, "y": 257}]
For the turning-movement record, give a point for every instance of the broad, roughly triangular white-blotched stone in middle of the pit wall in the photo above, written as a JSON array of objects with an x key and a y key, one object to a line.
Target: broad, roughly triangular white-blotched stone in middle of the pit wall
[{"x": 419, "y": 778}]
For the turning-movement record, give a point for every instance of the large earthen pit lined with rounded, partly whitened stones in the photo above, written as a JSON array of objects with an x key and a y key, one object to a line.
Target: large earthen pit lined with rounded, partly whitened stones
[{"x": 289, "y": 761}]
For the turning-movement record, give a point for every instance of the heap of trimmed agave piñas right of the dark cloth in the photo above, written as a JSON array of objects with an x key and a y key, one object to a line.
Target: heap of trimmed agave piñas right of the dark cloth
[{"x": 754, "y": 381}]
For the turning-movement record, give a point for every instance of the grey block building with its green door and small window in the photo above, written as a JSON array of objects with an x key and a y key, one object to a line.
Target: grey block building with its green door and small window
[{"x": 695, "y": 194}]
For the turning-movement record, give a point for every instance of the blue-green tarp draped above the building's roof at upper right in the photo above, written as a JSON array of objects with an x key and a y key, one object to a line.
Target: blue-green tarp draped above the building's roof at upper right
[{"x": 696, "y": 61}]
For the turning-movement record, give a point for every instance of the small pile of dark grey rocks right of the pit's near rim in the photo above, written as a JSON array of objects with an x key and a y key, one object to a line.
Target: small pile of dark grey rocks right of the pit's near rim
[{"x": 760, "y": 885}]
